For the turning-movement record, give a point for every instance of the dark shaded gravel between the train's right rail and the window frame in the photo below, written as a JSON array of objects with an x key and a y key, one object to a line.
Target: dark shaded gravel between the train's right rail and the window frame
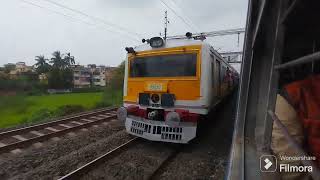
[{"x": 207, "y": 157}]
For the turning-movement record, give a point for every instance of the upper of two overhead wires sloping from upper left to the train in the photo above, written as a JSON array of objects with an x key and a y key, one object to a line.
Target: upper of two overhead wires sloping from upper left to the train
[{"x": 95, "y": 18}]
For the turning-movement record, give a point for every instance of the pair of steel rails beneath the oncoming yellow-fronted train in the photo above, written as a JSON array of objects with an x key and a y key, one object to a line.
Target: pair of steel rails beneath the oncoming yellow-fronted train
[{"x": 85, "y": 169}]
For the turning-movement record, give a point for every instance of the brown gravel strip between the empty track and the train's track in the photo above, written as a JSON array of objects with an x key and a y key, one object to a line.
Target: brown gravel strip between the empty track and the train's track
[{"x": 56, "y": 158}]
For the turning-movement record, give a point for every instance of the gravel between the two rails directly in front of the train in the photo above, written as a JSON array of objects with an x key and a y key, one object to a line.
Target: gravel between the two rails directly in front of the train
[{"x": 138, "y": 162}]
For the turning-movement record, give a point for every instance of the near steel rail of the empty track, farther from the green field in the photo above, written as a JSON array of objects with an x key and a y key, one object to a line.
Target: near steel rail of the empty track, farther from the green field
[{"x": 30, "y": 141}]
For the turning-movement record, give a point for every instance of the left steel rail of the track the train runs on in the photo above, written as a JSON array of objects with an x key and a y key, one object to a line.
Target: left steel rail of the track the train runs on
[{"x": 76, "y": 174}]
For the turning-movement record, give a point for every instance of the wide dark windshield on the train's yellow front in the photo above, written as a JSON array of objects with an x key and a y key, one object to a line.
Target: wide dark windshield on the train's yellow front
[{"x": 164, "y": 66}]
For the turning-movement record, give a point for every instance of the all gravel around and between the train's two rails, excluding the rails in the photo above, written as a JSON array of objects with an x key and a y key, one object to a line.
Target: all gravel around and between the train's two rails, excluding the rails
[{"x": 204, "y": 158}]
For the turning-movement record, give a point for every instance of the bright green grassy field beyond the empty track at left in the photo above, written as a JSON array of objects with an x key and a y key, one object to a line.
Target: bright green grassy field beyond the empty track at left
[{"x": 16, "y": 110}]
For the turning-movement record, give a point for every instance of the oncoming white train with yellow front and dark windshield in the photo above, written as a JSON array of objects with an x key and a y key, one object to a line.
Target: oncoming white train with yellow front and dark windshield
[{"x": 170, "y": 85}]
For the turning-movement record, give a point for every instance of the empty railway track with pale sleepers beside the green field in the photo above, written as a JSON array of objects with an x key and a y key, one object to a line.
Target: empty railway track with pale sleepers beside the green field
[{"x": 24, "y": 137}]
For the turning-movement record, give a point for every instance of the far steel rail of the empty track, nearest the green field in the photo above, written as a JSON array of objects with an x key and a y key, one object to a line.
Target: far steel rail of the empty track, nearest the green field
[{"x": 53, "y": 123}]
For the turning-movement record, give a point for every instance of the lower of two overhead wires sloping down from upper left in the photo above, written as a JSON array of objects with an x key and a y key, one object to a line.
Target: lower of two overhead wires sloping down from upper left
[{"x": 73, "y": 18}]
